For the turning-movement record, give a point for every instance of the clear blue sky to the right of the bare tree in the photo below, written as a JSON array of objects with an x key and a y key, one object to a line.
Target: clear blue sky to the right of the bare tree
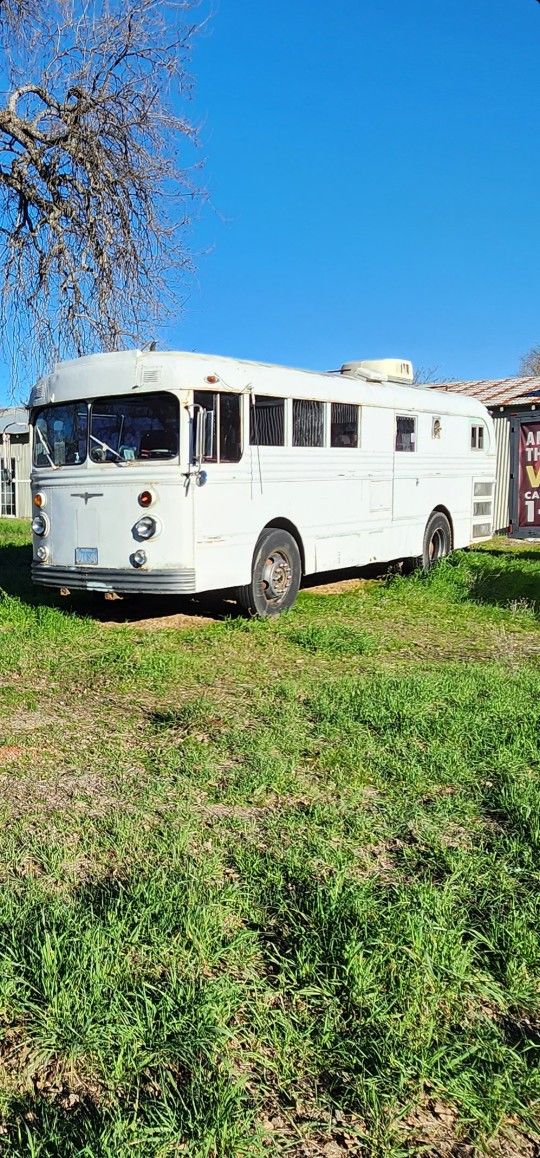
[{"x": 374, "y": 173}]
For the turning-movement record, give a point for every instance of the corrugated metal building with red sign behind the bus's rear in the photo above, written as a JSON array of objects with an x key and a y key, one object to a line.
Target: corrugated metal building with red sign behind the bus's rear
[{"x": 515, "y": 407}]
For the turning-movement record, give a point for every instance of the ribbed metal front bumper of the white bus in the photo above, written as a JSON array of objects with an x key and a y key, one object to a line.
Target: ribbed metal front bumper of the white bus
[{"x": 154, "y": 583}]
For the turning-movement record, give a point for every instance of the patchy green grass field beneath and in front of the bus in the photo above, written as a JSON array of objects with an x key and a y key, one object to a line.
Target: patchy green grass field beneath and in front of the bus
[{"x": 273, "y": 889}]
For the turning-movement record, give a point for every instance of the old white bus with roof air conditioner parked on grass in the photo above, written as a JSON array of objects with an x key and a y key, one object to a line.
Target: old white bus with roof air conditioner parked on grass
[{"x": 179, "y": 473}]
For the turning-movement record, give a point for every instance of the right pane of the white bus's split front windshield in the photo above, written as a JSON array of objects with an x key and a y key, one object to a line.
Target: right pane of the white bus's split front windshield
[{"x": 126, "y": 429}]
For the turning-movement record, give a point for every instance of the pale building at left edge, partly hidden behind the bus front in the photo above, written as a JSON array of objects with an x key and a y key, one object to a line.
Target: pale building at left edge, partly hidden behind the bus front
[{"x": 16, "y": 464}]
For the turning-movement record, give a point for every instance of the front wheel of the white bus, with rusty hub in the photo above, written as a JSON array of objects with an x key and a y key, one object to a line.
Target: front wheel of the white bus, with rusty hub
[{"x": 276, "y": 576}]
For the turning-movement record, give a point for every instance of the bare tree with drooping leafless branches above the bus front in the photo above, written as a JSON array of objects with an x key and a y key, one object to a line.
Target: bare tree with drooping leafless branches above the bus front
[{"x": 94, "y": 186}]
